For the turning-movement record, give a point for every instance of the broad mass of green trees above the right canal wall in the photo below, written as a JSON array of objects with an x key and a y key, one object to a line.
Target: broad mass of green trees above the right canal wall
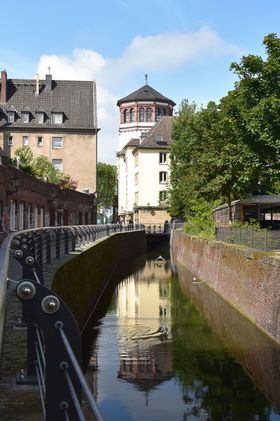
[{"x": 227, "y": 150}]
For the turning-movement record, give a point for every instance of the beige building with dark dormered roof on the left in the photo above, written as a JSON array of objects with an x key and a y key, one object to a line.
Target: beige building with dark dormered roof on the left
[{"x": 56, "y": 119}]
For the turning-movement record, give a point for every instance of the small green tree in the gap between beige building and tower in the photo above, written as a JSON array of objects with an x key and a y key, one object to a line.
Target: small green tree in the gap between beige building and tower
[{"x": 106, "y": 184}]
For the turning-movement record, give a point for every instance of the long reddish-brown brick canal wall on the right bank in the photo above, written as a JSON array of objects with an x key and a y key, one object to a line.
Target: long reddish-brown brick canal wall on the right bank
[{"x": 246, "y": 278}]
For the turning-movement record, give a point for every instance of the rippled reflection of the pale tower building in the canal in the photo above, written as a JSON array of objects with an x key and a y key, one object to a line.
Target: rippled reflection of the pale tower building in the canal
[{"x": 144, "y": 321}]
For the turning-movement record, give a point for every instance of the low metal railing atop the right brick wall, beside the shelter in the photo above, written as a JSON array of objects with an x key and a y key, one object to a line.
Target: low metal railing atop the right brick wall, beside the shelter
[{"x": 262, "y": 239}]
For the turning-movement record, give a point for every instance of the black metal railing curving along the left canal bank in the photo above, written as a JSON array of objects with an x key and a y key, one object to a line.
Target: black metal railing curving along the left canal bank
[{"x": 53, "y": 338}]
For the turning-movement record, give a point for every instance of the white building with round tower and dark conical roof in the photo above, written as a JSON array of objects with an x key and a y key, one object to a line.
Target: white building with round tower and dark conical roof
[{"x": 143, "y": 159}]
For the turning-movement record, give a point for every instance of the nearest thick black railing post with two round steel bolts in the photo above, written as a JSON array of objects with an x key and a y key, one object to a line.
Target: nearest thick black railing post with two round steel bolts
[{"x": 49, "y": 313}]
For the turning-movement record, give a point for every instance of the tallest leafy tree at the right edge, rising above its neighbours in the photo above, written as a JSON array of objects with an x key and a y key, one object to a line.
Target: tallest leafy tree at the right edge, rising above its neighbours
[{"x": 258, "y": 96}]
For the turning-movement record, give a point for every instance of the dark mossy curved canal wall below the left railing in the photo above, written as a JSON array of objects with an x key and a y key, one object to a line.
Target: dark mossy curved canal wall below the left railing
[{"x": 81, "y": 281}]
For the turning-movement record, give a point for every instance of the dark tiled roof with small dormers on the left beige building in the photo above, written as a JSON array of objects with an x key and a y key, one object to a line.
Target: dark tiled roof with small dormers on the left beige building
[{"x": 76, "y": 99}]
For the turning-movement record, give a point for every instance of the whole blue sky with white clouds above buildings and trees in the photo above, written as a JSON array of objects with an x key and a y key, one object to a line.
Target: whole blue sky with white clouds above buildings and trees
[{"x": 185, "y": 47}]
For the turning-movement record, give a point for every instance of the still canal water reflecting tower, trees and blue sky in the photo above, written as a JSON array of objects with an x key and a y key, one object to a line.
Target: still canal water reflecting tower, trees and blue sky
[{"x": 206, "y": 363}]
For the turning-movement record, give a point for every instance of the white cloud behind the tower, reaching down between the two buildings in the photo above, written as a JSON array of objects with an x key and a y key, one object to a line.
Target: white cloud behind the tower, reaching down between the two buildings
[{"x": 151, "y": 53}]
